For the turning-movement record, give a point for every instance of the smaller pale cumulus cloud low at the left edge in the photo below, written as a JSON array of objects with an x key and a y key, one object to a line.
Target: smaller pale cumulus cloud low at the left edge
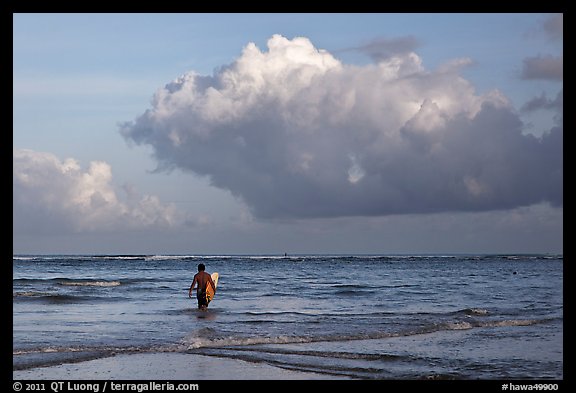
[{"x": 50, "y": 195}]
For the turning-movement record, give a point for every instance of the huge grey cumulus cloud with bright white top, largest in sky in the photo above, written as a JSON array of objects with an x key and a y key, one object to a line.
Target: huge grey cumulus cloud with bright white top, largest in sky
[{"x": 294, "y": 132}]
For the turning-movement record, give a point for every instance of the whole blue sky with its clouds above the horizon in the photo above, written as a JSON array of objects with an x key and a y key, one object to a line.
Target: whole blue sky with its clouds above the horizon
[{"x": 287, "y": 133}]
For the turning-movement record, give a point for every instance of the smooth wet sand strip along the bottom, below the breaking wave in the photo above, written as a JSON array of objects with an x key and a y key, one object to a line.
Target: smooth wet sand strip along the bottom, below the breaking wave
[{"x": 164, "y": 366}]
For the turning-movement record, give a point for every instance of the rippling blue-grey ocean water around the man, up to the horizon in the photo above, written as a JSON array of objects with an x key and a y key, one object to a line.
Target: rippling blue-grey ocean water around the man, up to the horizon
[{"x": 359, "y": 317}]
